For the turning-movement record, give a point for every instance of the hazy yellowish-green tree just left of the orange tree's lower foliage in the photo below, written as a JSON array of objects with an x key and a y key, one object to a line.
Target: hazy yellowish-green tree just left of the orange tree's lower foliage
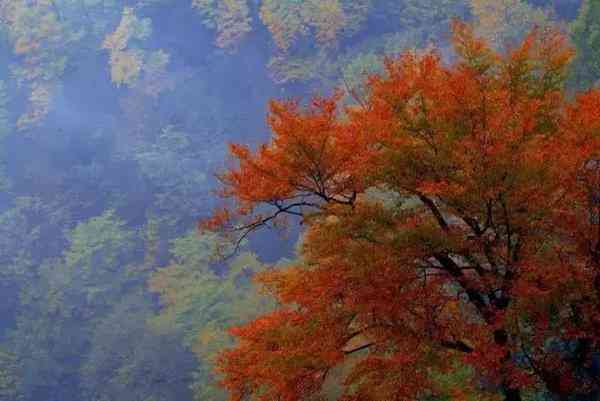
[{"x": 202, "y": 303}]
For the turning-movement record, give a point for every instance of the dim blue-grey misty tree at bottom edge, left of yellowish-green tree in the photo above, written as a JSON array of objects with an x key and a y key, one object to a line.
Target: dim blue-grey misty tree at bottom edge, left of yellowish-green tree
[{"x": 128, "y": 362}]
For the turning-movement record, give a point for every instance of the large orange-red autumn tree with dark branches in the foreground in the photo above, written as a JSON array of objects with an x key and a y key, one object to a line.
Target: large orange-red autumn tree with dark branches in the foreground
[{"x": 451, "y": 221}]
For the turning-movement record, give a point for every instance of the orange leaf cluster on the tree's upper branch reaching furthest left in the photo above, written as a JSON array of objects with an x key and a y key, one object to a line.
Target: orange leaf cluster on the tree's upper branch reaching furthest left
[{"x": 302, "y": 165}]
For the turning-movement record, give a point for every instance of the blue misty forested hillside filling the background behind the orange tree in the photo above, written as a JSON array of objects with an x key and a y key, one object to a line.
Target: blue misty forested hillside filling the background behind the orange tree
[{"x": 110, "y": 149}]
